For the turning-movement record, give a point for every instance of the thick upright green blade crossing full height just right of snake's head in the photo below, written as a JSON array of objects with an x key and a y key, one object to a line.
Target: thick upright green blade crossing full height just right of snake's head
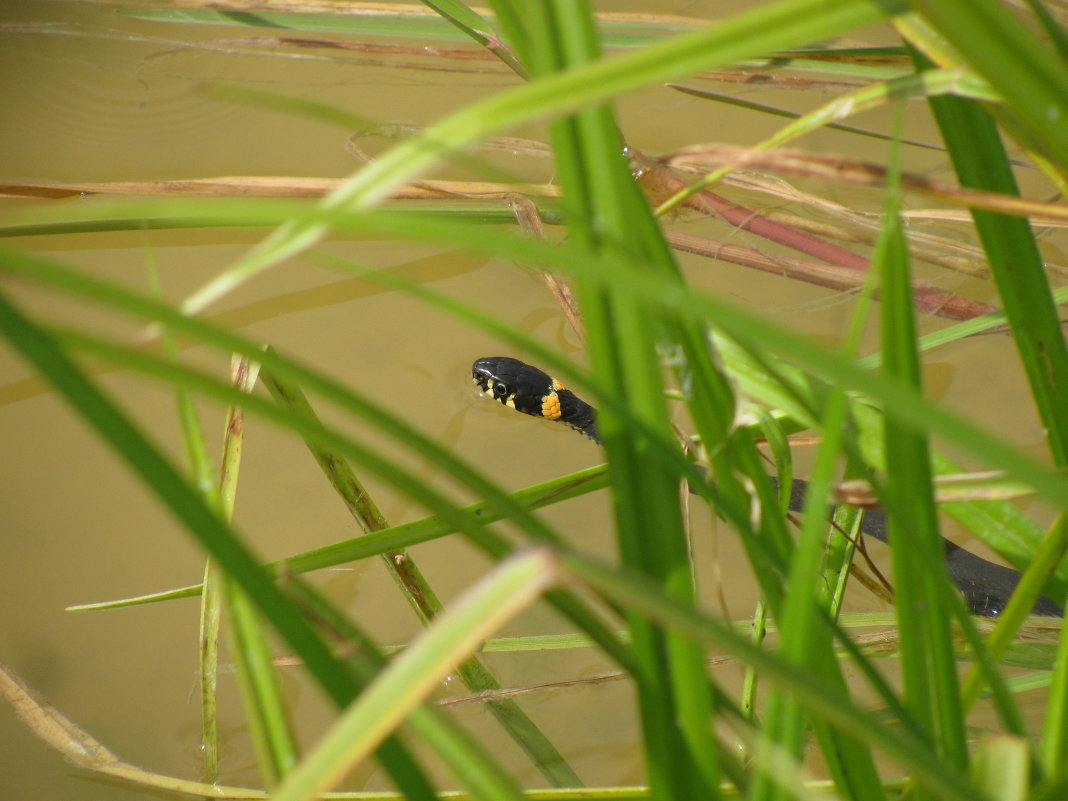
[{"x": 606, "y": 210}]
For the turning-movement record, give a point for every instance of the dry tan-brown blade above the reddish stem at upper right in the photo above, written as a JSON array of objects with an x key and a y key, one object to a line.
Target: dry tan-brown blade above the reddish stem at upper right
[{"x": 843, "y": 170}]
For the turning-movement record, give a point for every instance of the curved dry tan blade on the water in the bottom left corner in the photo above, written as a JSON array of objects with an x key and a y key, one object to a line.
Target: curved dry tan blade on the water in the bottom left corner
[{"x": 87, "y": 752}]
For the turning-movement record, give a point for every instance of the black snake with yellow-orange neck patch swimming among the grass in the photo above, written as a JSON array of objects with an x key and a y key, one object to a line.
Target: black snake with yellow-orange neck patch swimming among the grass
[{"x": 985, "y": 586}]
